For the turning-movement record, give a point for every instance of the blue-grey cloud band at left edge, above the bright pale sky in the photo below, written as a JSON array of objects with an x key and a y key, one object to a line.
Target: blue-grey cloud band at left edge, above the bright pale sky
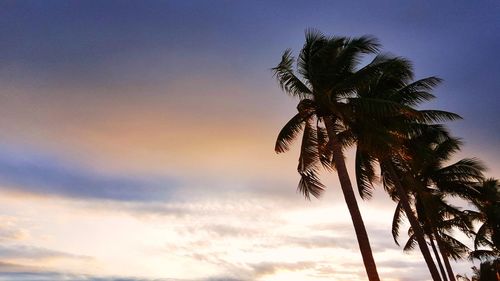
[{"x": 44, "y": 175}]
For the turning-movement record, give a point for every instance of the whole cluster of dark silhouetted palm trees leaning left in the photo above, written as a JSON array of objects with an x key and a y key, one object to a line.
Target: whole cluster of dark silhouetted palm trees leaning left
[{"x": 375, "y": 108}]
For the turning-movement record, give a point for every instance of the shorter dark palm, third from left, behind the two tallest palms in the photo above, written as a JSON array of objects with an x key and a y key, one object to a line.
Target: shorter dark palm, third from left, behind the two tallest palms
[{"x": 435, "y": 181}]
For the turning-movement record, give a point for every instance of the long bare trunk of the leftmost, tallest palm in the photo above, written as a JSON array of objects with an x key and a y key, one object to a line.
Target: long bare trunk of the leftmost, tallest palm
[{"x": 352, "y": 205}]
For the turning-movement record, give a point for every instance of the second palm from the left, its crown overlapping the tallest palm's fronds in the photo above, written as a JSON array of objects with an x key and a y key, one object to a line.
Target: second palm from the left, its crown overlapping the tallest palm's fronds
[{"x": 385, "y": 119}]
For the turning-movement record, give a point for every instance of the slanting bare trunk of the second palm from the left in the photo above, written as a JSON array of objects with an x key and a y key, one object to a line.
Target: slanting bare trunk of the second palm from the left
[{"x": 419, "y": 234}]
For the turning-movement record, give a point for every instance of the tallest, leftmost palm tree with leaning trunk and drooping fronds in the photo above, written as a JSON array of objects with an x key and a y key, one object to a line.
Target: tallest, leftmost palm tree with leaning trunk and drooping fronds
[{"x": 330, "y": 74}]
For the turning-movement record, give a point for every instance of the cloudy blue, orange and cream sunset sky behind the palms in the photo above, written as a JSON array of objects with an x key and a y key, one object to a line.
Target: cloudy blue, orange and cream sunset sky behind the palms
[{"x": 136, "y": 137}]
